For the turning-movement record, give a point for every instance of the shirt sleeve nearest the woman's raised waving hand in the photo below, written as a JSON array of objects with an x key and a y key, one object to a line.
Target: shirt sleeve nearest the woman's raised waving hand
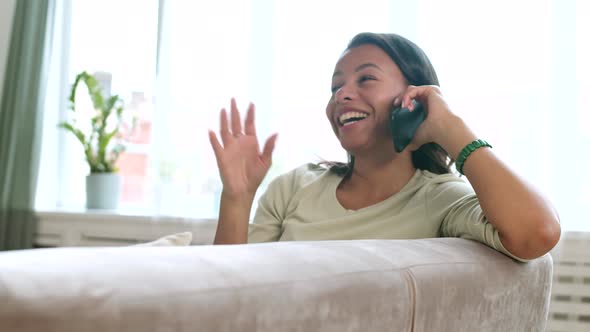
[{"x": 272, "y": 205}]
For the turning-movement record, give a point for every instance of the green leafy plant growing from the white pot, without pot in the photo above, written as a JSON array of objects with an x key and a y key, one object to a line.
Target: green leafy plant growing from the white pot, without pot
[{"x": 105, "y": 125}]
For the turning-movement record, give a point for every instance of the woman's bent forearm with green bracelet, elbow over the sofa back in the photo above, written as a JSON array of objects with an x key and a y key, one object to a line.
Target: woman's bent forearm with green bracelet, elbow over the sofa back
[{"x": 527, "y": 223}]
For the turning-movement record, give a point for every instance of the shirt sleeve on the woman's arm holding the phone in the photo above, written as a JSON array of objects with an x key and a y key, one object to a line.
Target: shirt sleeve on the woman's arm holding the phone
[{"x": 455, "y": 205}]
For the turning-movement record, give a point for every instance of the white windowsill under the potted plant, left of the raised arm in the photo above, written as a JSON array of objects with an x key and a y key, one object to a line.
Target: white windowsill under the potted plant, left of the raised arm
[{"x": 80, "y": 227}]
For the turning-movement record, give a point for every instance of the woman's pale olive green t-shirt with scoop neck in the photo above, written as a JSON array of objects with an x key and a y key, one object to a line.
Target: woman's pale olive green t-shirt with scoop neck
[{"x": 301, "y": 205}]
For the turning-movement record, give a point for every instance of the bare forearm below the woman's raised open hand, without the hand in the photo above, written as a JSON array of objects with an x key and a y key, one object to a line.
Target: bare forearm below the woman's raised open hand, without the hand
[{"x": 234, "y": 214}]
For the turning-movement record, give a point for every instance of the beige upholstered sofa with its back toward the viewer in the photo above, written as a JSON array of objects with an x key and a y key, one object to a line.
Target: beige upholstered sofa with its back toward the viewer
[{"x": 370, "y": 285}]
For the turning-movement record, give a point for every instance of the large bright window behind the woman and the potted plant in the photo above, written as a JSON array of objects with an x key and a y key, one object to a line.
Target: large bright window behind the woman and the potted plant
[{"x": 177, "y": 63}]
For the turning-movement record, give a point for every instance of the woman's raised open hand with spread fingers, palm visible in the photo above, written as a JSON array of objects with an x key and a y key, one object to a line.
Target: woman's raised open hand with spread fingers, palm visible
[{"x": 242, "y": 166}]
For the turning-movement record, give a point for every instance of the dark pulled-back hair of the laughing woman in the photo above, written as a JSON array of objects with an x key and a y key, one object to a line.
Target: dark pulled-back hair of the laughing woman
[{"x": 417, "y": 70}]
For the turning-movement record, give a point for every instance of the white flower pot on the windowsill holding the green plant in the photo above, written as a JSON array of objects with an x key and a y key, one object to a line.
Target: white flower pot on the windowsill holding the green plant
[{"x": 103, "y": 191}]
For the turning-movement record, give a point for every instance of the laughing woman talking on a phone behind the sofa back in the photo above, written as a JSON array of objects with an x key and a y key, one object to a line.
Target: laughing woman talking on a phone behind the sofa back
[{"x": 380, "y": 193}]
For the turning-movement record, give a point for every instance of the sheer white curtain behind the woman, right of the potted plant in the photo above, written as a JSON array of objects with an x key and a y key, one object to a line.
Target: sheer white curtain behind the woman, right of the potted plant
[{"x": 513, "y": 70}]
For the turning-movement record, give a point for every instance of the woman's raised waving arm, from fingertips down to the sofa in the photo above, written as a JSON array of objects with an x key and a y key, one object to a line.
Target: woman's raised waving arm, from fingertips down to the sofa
[{"x": 242, "y": 168}]
